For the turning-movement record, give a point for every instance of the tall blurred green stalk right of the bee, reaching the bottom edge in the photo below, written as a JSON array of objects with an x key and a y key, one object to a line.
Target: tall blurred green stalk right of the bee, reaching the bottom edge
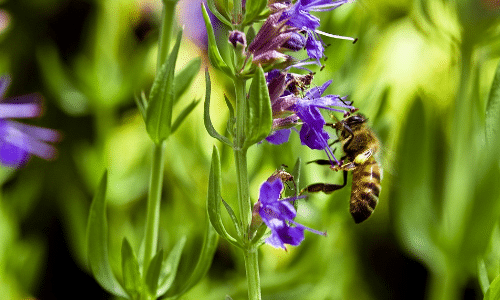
[{"x": 457, "y": 194}]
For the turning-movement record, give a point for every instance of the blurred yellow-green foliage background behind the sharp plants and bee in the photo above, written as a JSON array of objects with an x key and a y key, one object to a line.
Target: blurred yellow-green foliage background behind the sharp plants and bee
[{"x": 416, "y": 66}]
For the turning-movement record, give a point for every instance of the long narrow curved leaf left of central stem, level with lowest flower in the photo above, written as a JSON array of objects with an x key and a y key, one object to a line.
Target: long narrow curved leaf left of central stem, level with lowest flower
[{"x": 214, "y": 198}]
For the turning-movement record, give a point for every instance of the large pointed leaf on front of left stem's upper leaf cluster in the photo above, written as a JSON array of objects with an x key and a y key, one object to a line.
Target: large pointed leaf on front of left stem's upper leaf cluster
[{"x": 159, "y": 109}]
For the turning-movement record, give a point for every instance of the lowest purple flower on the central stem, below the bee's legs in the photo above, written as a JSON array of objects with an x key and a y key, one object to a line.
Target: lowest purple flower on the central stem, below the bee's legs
[{"x": 279, "y": 214}]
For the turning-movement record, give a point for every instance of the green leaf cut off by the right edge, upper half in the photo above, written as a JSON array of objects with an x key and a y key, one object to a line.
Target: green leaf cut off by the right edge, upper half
[{"x": 493, "y": 109}]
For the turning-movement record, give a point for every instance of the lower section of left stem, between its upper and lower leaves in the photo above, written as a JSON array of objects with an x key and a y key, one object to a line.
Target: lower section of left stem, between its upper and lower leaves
[{"x": 154, "y": 198}]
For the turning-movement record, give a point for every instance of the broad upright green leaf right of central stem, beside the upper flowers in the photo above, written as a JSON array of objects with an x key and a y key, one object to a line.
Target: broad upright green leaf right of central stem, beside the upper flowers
[{"x": 258, "y": 113}]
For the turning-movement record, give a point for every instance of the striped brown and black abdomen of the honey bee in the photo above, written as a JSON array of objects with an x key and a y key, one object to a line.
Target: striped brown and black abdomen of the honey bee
[{"x": 365, "y": 190}]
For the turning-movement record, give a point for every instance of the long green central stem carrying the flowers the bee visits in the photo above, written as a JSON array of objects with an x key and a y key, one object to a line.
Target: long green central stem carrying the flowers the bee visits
[{"x": 245, "y": 205}]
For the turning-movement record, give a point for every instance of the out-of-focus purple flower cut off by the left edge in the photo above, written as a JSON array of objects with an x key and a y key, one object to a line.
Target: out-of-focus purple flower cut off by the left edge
[{"x": 18, "y": 141}]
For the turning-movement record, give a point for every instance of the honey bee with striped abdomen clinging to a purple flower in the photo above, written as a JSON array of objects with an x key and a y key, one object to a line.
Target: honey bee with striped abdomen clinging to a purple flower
[{"x": 360, "y": 145}]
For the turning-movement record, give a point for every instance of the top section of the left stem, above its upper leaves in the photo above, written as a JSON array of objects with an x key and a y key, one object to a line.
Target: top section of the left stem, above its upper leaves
[{"x": 166, "y": 32}]
